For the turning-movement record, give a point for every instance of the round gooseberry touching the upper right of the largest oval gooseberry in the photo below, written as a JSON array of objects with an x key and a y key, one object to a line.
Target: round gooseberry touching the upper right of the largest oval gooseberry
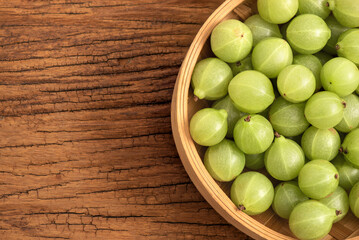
[{"x": 271, "y": 55}]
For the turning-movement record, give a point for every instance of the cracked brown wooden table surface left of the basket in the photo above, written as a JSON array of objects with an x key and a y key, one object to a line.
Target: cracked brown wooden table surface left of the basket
[{"x": 86, "y": 150}]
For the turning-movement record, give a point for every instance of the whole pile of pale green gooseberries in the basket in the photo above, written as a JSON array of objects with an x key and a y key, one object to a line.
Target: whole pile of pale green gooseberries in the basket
[{"x": 285, "y": 86}]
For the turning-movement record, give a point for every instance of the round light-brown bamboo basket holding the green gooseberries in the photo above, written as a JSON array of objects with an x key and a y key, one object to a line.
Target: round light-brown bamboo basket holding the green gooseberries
[{"x": 266, "y": 225}]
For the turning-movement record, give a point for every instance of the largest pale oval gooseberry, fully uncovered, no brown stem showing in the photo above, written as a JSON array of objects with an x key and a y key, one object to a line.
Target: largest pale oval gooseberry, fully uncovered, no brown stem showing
[{"x": 251, "y": 91}]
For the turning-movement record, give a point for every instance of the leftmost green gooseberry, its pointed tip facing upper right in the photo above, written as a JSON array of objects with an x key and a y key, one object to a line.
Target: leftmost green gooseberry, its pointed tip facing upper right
[{"x": 208, "y": 126}]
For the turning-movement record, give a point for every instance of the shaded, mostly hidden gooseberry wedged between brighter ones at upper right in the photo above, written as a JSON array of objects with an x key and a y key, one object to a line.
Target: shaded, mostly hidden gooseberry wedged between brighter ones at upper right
[{"x": 336, "y": 29}]
